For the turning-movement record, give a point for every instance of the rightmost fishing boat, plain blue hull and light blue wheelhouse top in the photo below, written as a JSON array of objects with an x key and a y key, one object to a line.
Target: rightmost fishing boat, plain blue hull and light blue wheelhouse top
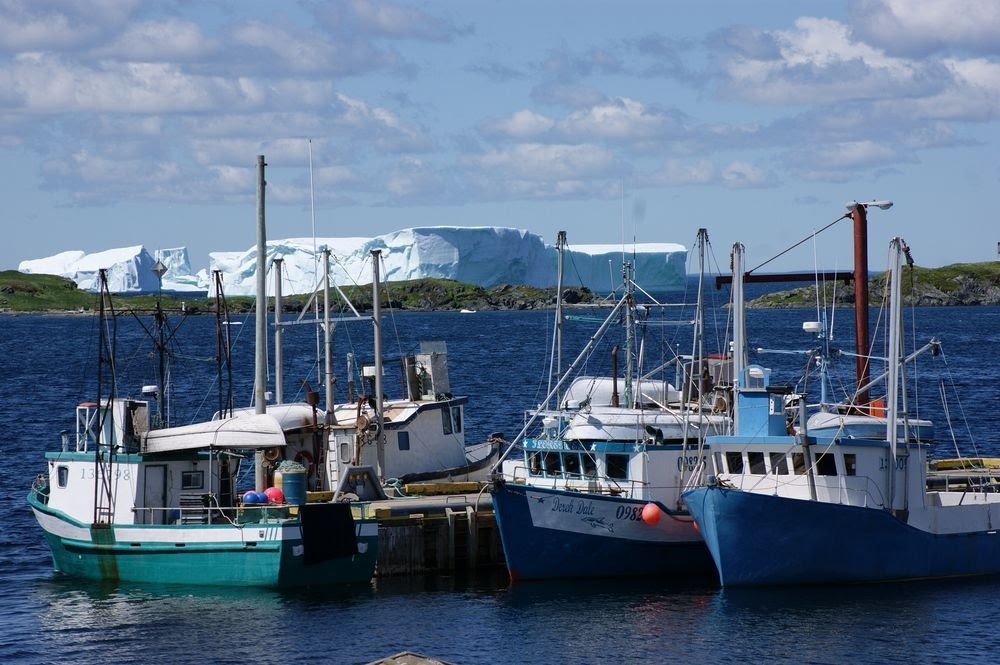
[{"x": 847, "y": 496}]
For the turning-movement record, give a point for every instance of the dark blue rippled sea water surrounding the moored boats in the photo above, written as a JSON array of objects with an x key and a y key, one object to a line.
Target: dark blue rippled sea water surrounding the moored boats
[{"x": 498, "y": 359}]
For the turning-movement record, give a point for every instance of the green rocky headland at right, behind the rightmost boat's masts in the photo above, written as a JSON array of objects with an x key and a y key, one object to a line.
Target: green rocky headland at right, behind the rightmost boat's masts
[{"x": 959, "y": 284}]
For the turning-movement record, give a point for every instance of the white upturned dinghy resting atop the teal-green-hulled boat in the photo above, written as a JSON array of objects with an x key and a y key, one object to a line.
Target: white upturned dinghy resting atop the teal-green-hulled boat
[{"x": 257, "y": 431}]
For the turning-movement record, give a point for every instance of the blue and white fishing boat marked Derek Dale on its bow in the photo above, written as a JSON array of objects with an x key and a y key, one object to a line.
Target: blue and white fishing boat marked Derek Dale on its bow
[{"x": 596, "y": 491}]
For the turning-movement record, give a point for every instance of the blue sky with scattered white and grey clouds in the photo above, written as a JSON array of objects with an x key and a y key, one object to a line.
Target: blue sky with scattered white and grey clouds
[{"x": 128, "y": 122}]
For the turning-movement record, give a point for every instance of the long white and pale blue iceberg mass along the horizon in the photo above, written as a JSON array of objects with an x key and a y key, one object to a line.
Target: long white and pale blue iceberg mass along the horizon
[{"x": 484, "y": 256}]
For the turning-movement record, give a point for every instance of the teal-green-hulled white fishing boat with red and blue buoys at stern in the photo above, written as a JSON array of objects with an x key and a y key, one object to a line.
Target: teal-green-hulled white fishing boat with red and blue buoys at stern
[{"x": 124, "y": 501}]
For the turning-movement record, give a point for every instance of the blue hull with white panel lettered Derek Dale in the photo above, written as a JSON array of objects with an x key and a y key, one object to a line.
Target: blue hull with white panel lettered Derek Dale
[{"x": 556, "y": 533}]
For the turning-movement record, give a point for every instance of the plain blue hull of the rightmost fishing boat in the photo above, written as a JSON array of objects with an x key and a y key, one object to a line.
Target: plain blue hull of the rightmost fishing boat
[{"x": 758, "y": 540}]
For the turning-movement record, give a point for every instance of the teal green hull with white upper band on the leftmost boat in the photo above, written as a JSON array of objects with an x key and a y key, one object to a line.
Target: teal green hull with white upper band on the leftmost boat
[{"x": 270, "y": 553}]
